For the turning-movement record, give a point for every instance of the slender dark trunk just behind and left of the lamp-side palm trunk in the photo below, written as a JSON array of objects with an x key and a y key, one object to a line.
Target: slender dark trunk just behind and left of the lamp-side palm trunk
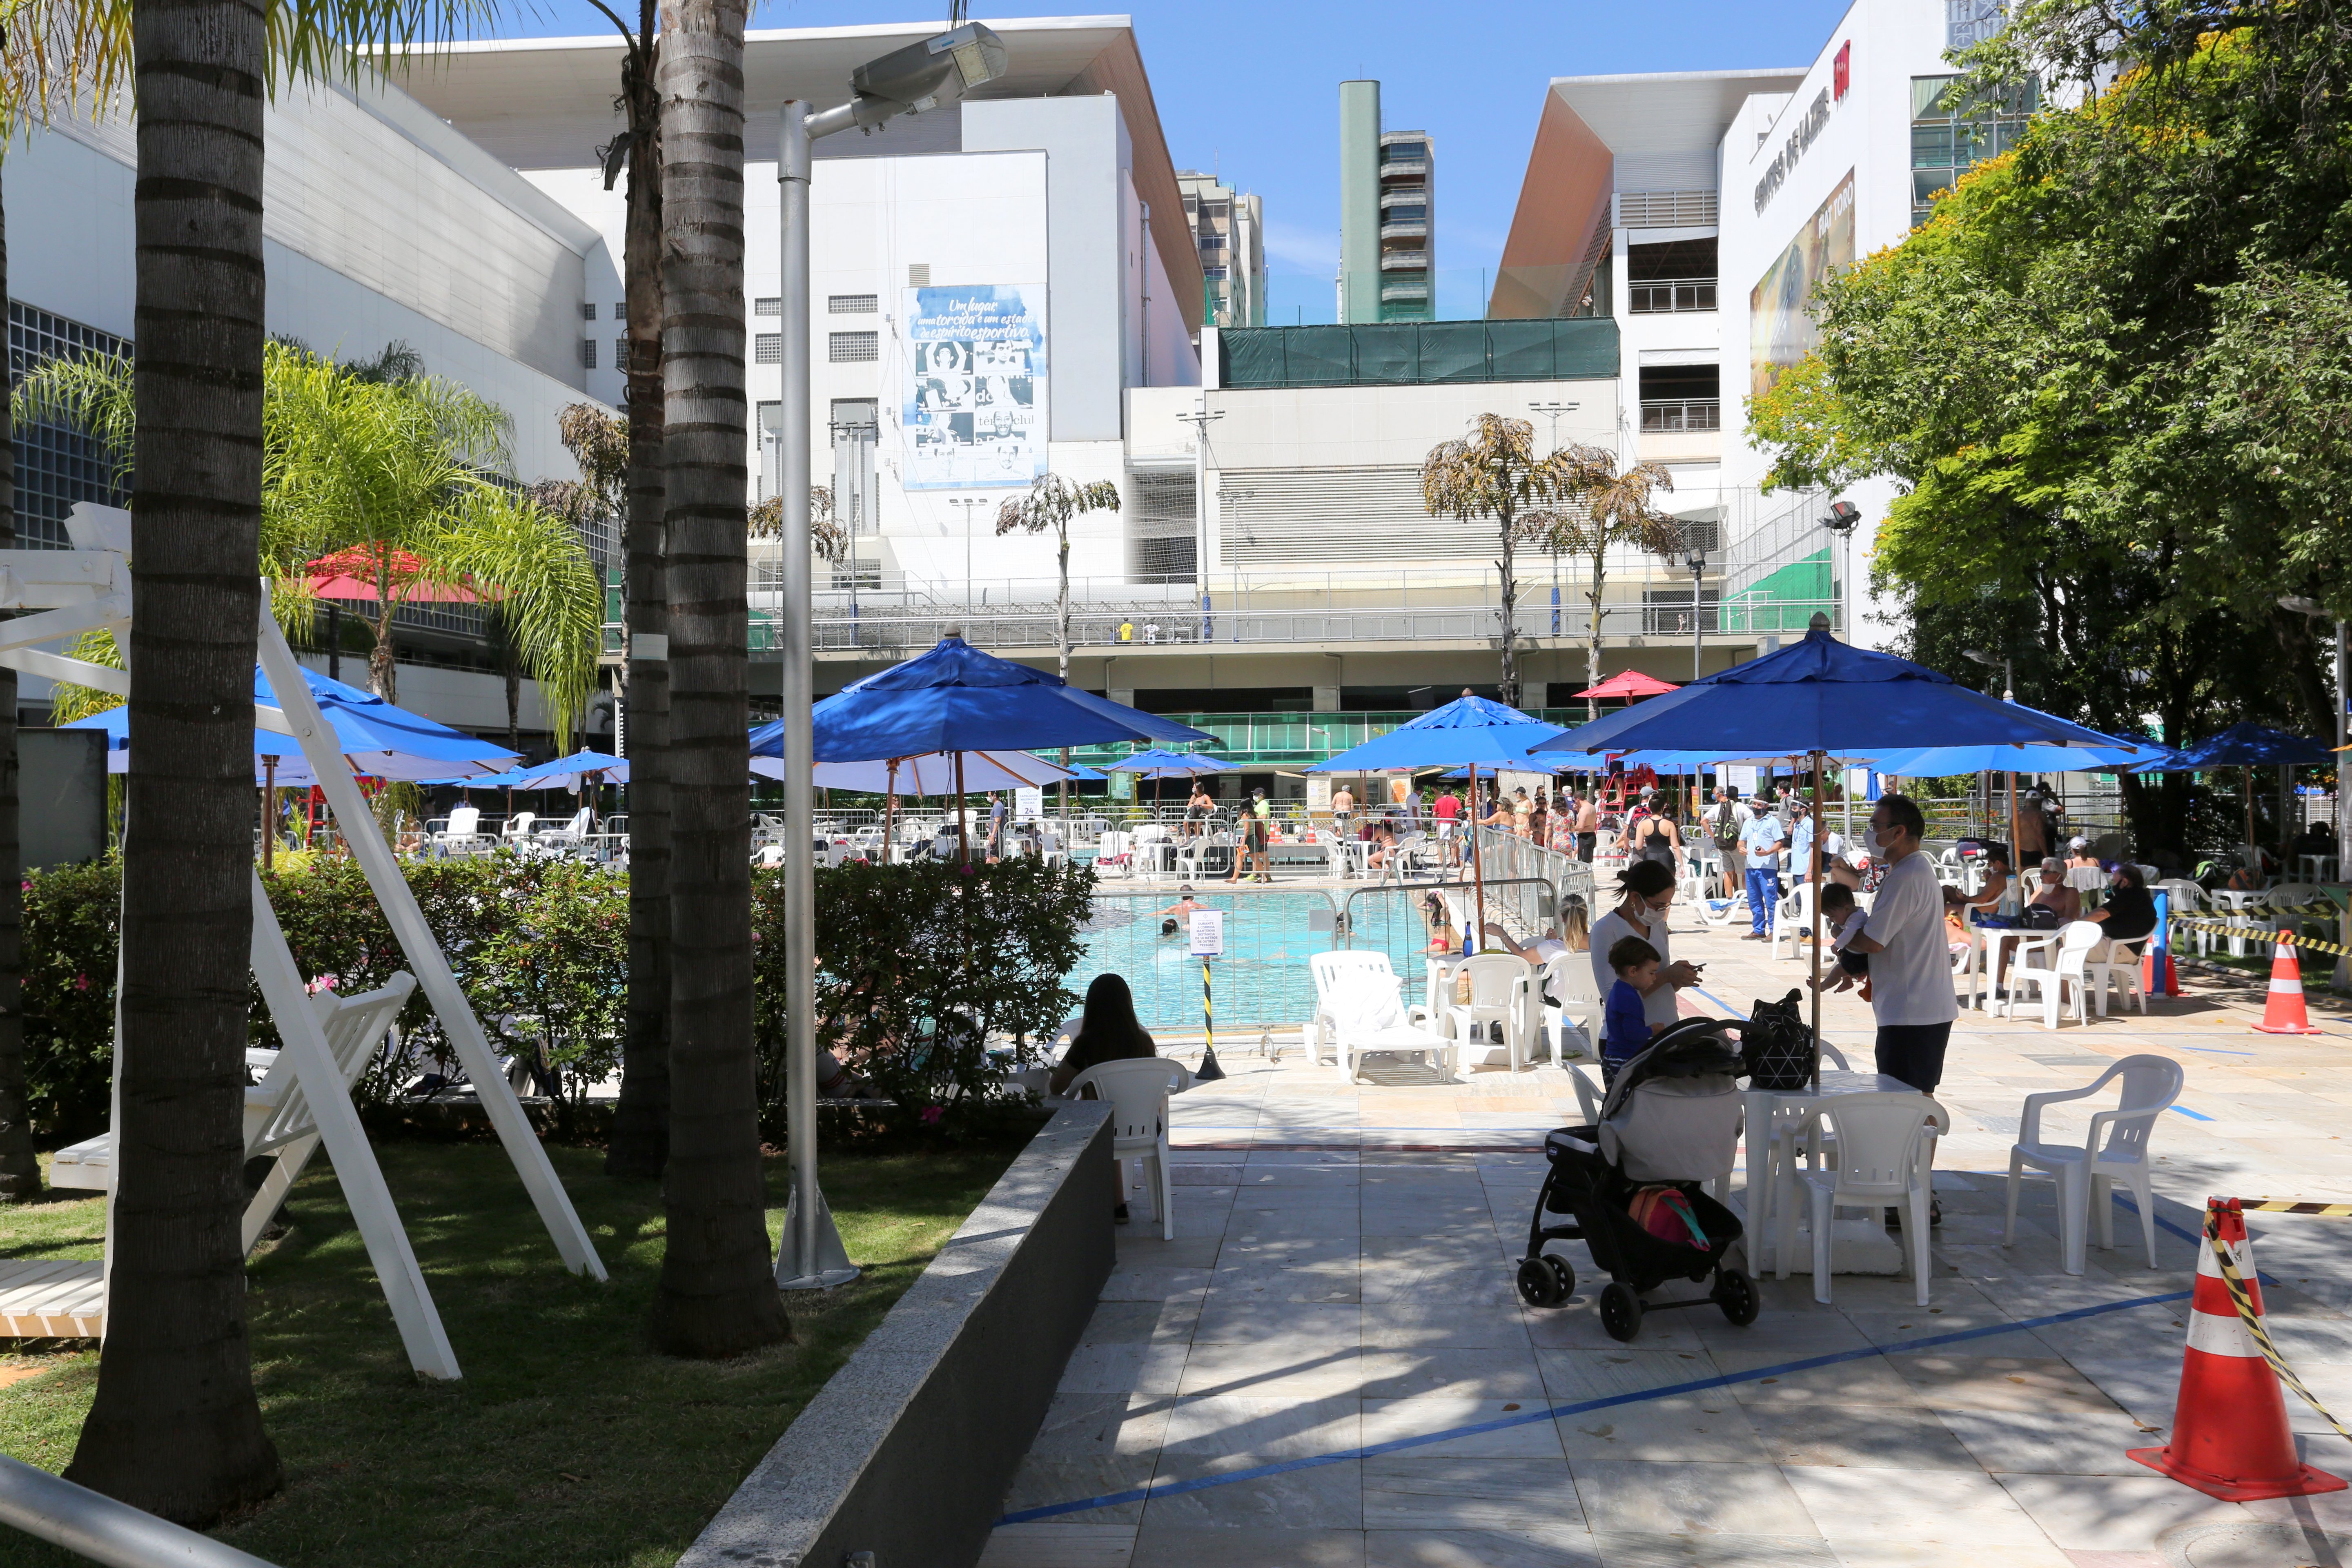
[{"x": 641, "y": 1125}]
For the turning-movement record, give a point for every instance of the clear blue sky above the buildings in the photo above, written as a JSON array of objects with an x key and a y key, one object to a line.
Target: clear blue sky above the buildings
[{"x": 1252, "y": 91}]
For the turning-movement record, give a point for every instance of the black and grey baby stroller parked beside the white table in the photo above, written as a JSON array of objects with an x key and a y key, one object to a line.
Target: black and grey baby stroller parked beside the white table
[{"x": 1671, "y": 1123}]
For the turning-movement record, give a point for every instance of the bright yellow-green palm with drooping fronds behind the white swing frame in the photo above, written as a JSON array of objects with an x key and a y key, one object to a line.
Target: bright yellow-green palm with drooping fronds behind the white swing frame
[{"x": 394, "y": 481}]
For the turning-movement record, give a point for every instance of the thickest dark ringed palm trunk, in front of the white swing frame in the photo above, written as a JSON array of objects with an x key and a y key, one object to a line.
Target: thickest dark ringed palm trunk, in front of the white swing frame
[{"x": 175, "y": 1426}]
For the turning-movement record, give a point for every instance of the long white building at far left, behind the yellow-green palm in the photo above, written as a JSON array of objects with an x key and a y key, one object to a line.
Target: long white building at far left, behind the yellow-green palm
[{"x": 382, "y": 225}]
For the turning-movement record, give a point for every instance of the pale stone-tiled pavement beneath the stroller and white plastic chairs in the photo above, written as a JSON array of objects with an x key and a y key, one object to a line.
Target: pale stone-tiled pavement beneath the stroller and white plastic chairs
[{"x": 1342, "y": 1280}]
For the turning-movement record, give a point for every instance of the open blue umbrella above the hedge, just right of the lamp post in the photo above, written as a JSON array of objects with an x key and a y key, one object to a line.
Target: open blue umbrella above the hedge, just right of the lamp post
[{"x": 958, "y": 699}]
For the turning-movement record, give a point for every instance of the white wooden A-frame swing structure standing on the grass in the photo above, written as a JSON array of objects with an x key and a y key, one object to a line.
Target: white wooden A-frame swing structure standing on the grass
[{"x": 305, "y": 1099}]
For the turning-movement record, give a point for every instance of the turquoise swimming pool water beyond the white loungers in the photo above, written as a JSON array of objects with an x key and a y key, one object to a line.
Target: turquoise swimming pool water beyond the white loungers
[{"x": 1269, "y": 939}]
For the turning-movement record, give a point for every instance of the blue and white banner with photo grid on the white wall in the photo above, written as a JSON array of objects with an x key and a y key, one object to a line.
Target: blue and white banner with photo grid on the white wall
[{"x": 975, "y": 396}]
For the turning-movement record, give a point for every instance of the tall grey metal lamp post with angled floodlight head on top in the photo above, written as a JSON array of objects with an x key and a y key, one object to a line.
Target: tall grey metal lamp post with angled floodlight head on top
[{"x": 904, "y": 81}]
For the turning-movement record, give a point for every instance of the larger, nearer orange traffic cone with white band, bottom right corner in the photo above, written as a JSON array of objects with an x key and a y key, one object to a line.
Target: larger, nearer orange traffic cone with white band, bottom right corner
[{"x": 2231, "y": 1430}]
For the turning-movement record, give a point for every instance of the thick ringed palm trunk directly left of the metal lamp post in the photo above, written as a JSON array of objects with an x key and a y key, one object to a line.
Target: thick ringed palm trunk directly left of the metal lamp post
[{"x": 719, "y": 1289}]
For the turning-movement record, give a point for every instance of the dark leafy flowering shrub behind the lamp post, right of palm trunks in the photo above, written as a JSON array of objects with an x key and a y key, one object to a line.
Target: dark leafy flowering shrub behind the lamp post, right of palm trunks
[{"x": 916, "y": 967}]
